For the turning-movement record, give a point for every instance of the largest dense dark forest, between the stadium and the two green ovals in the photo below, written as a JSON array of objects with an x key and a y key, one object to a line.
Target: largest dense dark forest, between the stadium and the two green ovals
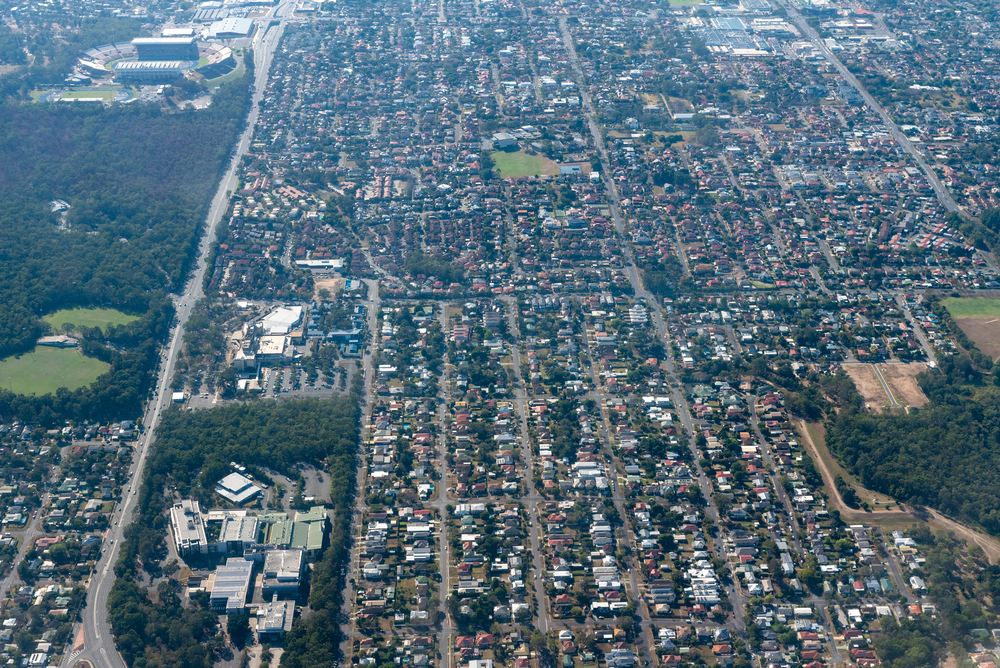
[{"x": 139, "y": 182}]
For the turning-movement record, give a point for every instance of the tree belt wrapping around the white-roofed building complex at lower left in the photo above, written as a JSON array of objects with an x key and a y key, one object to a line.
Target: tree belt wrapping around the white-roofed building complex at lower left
[{"x": 192, "y": 452}]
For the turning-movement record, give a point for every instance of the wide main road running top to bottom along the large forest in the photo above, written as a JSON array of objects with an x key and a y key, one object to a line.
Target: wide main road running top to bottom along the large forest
[{"x": 99, "y": 648}]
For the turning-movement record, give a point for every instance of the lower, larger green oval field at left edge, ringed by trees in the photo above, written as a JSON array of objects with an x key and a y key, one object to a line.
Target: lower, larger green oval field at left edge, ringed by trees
[{"x": 45, "y": 370}]
